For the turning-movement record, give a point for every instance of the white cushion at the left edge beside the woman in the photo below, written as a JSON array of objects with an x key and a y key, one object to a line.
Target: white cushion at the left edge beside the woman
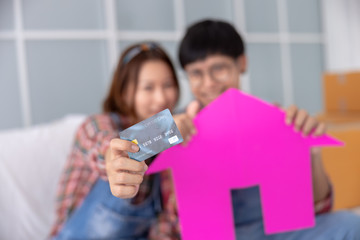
[{"x": 31, "y": 161}]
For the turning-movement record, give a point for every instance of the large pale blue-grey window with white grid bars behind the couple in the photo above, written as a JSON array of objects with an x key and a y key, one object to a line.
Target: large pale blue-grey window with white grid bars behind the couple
[{"x": 53, "y": 51}]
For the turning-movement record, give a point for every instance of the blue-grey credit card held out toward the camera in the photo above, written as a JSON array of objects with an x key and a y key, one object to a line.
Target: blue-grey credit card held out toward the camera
[{"x": 153, "y": 135}]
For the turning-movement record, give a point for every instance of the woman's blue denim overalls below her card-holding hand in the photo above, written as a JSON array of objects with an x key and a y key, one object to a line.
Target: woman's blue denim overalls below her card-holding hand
[{"x": 103, "y": 216}]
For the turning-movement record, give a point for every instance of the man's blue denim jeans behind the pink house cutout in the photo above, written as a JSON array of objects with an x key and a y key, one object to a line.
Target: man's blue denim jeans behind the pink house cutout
[{"x": 340, "y": 225}]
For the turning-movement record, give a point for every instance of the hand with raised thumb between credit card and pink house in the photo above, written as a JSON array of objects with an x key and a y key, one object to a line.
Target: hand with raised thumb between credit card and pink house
[{"x": 184, "y": 122}]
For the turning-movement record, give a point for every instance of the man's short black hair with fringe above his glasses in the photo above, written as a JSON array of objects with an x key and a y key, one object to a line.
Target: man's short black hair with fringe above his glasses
[{"x": 210, "y": 37}]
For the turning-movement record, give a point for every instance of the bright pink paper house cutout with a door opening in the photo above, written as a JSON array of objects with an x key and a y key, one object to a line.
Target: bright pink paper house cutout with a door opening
[{"x": 241, "y": 142}]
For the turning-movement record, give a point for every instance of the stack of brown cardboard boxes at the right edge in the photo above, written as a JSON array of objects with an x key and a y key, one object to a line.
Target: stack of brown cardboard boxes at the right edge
[{"x": 342, "y": 117}]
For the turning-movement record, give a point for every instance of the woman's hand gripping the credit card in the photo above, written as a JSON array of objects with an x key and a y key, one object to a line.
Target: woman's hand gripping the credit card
[{"x": 125, "y": 175}]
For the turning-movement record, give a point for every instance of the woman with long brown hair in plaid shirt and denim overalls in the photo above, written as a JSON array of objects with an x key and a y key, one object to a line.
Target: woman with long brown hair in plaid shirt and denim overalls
[{"x": 144, "y": 84}]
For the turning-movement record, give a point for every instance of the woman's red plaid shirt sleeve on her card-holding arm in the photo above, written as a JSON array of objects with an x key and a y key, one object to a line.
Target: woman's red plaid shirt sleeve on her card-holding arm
[{"x": 85, "y": 165}]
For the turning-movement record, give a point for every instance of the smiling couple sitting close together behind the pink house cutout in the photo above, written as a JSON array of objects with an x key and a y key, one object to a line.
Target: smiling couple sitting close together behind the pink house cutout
[{"x": 103, "y": 194}]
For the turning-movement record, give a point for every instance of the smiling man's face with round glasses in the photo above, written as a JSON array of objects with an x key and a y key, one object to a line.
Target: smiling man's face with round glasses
[{"x": 212, "y": 76}]
